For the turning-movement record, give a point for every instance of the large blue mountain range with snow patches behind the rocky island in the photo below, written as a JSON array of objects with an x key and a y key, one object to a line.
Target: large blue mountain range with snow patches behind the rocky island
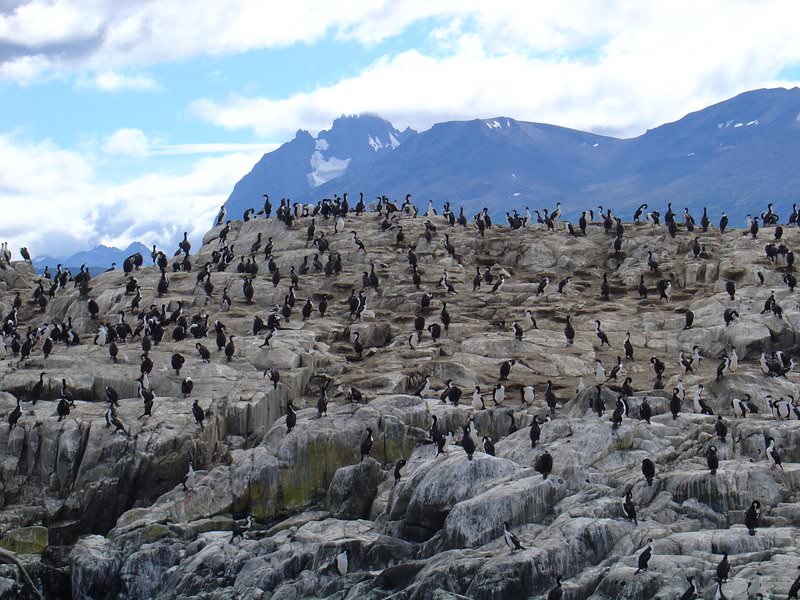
[{"x": 734, "y": 156}]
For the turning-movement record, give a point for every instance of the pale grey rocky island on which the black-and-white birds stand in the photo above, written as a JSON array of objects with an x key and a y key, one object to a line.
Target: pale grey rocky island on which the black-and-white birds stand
[{"x": 120, "y": 524}]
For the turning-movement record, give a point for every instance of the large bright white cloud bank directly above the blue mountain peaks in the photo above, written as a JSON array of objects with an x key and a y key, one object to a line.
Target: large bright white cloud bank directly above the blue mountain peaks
[{"x": 583, "y": 65}]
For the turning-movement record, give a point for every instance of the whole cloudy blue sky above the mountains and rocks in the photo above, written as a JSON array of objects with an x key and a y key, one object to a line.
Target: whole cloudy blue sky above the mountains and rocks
[{"x": 132, "y": 121}]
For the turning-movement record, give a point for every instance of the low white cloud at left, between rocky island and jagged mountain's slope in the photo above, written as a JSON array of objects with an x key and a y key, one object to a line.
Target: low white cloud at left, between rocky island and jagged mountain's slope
[{"x": 55, "y": 201}]
